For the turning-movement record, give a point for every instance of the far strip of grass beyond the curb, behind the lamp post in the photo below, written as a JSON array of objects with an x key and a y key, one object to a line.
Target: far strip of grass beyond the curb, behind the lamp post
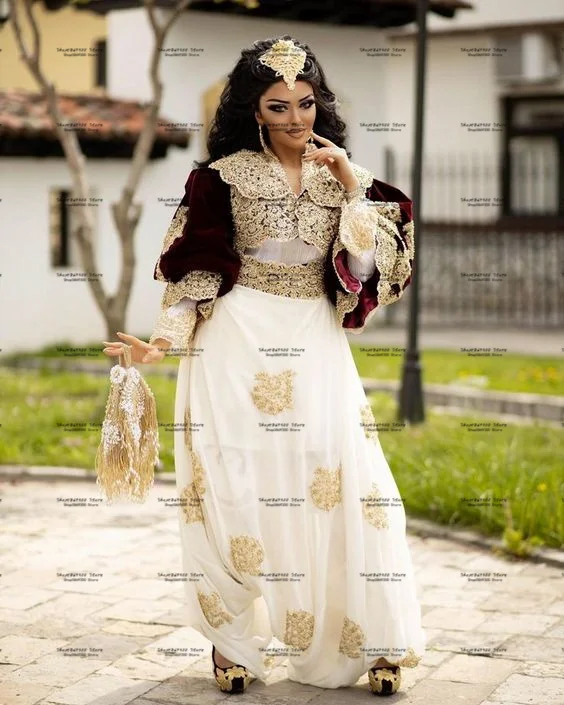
[{"x": 510, "y": 373}]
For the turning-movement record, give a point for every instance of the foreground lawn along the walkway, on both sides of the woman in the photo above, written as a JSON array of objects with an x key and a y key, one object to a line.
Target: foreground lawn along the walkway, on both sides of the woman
[{"x": 436, "y": 464}]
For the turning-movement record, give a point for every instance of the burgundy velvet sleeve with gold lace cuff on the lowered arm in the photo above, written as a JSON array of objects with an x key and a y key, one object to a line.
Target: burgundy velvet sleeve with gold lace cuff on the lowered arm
[{"x": 197, "y": 260}]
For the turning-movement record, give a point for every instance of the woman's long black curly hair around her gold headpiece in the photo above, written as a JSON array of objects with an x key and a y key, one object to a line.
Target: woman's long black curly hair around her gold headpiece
[{"x": 234, "y": 125}]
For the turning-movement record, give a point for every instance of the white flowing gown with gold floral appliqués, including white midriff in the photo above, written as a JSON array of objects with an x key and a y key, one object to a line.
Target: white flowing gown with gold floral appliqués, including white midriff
[{"x": 292, "y": 527}]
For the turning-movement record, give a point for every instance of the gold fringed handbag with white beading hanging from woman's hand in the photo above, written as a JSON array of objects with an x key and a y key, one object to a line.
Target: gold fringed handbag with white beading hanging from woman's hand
[{"x": 129, "y": 449}]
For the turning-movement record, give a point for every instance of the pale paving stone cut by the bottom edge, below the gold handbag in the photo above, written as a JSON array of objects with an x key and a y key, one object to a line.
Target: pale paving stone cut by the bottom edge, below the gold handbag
[{"x": 101, "y": 690}]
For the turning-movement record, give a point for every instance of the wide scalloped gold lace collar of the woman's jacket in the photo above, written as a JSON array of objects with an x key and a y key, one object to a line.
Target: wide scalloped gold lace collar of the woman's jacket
[{"x": 257, "y": 175}]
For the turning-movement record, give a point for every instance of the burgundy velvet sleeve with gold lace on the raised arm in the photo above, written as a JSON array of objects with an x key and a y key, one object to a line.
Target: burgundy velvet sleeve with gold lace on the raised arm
[{"x": 376, "y": 223}]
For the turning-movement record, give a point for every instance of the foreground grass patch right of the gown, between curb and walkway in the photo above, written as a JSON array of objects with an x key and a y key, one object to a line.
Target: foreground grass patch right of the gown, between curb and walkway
[{"x": 517, "y": 472}]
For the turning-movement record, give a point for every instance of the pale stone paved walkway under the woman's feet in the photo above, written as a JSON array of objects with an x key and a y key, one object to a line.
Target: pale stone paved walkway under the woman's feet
[{"x": 116, "y": 635}]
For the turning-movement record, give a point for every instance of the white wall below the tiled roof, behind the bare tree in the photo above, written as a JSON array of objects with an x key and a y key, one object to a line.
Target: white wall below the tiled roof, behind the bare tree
[{"x": 39, "y": 307}]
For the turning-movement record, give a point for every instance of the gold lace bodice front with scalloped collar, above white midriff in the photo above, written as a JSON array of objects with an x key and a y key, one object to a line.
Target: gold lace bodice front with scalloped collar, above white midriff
[{"x": 265, "y": 207}]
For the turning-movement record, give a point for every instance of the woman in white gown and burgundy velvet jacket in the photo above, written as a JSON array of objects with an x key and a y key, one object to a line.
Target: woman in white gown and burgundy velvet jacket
[{"x": 291, "y": 522}]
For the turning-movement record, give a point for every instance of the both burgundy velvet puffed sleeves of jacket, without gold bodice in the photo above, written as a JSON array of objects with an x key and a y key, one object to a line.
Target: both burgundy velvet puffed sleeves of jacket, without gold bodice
[{"x": 203, "y": 239}]
